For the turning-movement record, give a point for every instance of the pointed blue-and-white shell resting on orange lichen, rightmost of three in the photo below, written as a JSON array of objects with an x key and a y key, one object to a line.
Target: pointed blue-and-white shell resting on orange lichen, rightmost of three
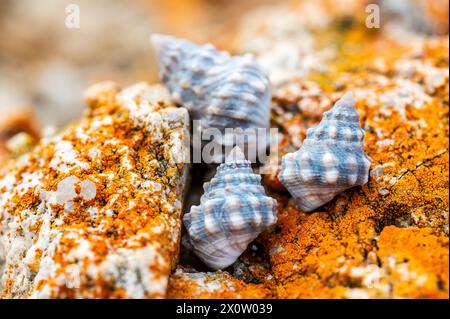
[{"x": 331, "y": 159}]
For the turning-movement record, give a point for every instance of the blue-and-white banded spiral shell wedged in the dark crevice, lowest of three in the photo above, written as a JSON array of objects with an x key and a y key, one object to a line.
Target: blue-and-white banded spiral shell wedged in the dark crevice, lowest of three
[{"x": 233, "y": 211}]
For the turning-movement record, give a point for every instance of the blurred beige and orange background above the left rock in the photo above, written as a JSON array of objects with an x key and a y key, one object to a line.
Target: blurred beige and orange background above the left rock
[{"x": 45, "y": 65}]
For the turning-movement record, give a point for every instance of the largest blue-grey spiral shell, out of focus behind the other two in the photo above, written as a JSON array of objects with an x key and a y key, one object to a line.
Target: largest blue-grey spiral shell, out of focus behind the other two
[{"x": 219, "y": 90}]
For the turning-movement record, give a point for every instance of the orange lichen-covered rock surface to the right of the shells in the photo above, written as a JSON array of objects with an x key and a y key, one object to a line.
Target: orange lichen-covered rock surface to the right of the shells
[{"x": 389, "y": 238}]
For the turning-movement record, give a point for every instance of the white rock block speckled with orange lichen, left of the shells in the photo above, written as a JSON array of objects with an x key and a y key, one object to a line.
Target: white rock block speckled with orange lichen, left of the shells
[{"x": 95, "y": 211}]
